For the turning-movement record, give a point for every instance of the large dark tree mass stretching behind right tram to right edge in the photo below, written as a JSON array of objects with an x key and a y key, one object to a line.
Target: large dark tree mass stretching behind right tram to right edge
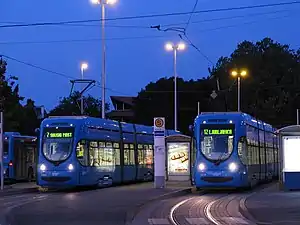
[{"x": 269, "y": 92}]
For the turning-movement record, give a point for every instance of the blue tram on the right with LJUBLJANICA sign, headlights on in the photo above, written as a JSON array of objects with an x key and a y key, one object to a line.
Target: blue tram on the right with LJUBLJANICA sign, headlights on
[{"x": 233, "y": 150}]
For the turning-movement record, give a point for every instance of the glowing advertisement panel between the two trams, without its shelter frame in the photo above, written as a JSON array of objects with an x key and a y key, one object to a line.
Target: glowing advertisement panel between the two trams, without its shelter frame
[{"x": 178, "y": 158}]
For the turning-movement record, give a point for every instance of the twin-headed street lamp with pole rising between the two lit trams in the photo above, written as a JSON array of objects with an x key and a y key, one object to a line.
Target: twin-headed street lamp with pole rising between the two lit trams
[{"x": 178, "y": 47}]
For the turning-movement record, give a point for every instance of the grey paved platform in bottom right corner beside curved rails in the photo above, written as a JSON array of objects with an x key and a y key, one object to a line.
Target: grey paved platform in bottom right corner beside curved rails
[{"x": 274, "y": 206}]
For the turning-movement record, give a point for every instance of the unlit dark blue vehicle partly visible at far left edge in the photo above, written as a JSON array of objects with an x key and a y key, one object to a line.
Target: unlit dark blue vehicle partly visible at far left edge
[{"x": 19, "y": 156}]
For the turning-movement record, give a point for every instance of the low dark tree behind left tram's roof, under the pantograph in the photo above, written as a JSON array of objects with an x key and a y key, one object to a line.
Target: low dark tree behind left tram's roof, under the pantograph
[{"x": 70, "y": 106}]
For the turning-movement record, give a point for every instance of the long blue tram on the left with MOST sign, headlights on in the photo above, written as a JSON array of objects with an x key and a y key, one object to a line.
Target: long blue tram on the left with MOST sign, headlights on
[{"x": 86, "y": 151}]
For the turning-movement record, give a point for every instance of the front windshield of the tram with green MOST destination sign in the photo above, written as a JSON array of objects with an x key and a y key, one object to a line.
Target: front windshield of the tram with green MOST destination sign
[{"x": 57, "y": 143}]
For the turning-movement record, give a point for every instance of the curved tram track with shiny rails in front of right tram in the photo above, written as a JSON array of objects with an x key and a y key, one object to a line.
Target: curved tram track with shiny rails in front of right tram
[{"x": 204, "y": 208}]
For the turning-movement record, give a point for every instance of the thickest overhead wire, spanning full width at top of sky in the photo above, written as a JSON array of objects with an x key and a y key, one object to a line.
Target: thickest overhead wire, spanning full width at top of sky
[{"x": 151, "y": 15}]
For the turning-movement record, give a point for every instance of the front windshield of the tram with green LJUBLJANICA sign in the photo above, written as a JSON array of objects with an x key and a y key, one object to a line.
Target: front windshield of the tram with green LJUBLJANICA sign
[{"x": 217, "y": 141}]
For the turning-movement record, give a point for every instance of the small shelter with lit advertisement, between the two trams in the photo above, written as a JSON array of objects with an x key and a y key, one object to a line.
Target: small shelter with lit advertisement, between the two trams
[{"x": 178, "y": 157}]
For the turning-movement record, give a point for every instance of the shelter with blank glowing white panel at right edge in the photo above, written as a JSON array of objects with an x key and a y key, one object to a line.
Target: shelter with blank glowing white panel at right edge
[{"x": 289, "y": 157}]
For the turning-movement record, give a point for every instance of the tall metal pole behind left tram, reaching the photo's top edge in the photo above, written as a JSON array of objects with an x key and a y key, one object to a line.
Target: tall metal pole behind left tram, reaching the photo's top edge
[{"x": 103, "y": 59}]
